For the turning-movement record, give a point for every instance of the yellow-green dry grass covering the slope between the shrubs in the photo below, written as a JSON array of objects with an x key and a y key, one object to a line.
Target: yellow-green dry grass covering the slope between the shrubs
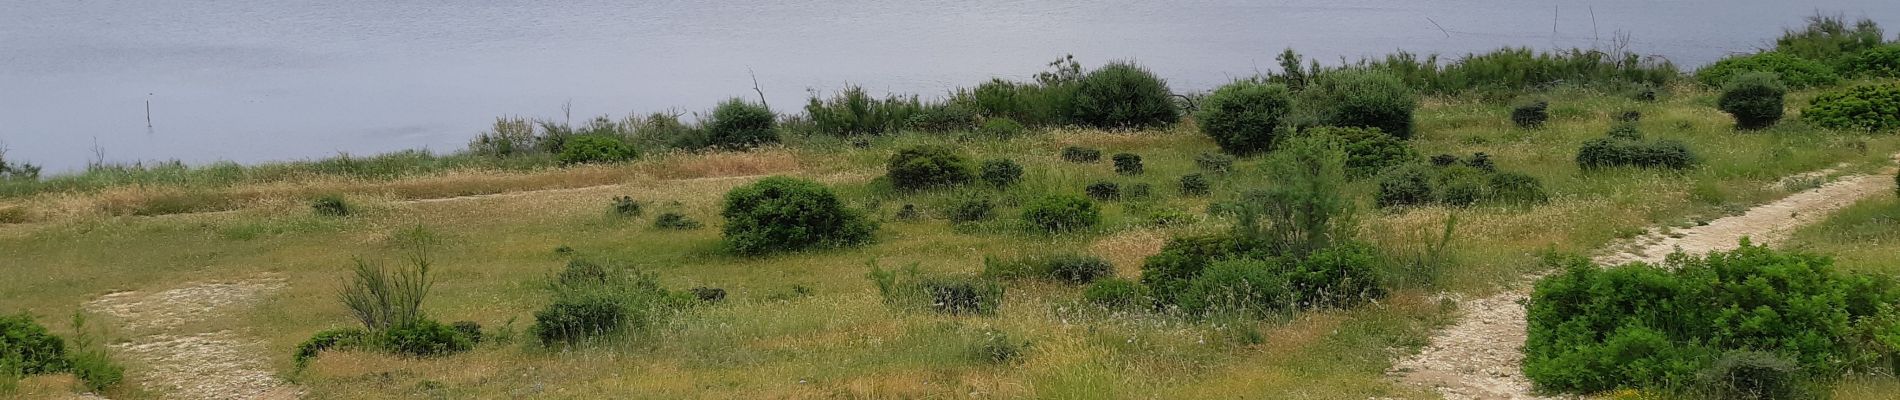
[{"x": 810, "y": 325}]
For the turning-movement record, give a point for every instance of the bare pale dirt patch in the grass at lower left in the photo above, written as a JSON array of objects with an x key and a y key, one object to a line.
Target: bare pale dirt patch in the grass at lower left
[{"x": 172, "y": 359}]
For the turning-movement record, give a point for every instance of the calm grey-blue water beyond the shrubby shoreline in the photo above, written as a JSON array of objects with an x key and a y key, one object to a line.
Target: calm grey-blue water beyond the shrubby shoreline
[{"x": 290, "y": 81}]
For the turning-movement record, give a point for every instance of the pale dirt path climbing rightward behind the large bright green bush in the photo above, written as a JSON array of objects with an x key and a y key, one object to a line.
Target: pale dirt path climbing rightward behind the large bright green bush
[{"x": 1479, "y": 357}]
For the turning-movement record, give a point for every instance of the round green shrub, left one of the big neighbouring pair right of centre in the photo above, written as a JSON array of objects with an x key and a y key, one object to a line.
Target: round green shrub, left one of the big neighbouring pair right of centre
[{"x": 1244, "y": 117}]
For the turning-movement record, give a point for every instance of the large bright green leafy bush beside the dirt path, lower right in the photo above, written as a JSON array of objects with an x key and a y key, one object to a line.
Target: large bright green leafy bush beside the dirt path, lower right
[{"x": 1675, "y": 325}]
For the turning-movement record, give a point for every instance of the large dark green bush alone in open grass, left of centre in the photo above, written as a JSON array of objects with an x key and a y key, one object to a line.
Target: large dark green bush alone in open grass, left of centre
[{"x": 782, "y": 213}]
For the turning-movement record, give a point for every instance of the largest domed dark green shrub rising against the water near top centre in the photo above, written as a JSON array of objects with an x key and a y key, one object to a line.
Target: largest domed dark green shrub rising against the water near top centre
[{"x": 1122, "y": 96}]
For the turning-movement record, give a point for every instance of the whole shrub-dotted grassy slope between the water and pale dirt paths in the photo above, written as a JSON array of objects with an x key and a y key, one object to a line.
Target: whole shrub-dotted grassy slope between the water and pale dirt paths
[{"x": 1088, "y": 234}]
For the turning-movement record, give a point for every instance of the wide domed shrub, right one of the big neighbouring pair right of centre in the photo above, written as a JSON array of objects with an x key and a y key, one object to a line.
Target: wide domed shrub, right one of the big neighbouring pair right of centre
[{"x": 1359, "y": 100}]
